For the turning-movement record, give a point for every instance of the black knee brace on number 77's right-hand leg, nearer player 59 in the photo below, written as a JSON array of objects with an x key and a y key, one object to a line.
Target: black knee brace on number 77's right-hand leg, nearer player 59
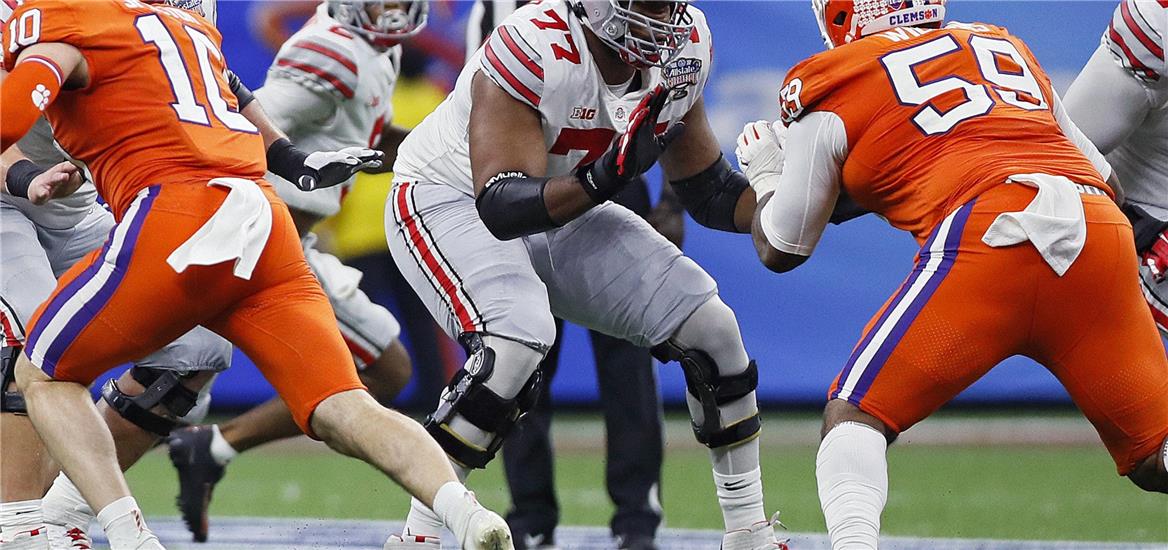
[{"x": 713, "y": 391}]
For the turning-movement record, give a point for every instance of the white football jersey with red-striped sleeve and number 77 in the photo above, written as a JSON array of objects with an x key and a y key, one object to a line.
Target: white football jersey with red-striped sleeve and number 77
[{"x": 539, "y": 55}]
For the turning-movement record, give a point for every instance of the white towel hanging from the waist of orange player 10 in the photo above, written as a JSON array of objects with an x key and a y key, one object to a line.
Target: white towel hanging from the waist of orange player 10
[{"x": 238, "y": 232}]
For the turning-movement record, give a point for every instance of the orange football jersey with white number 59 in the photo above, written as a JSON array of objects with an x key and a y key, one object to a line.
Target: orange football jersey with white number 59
[{"x": 935, "y": 117}]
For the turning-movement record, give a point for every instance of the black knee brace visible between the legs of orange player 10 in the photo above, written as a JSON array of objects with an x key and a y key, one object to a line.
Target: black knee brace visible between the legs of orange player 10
[{"x": 163, "y": 388}]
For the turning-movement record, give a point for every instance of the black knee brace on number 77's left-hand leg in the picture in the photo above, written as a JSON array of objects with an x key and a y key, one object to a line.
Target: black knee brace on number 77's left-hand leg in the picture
[{"x": 469, "y": 398}]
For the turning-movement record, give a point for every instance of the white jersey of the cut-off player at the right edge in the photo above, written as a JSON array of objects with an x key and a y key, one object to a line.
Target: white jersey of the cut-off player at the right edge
[{"x": 1137, "y": 40}]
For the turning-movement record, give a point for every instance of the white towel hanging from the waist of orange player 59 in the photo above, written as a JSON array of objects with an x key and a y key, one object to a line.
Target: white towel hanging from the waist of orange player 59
[{"x": 1053, "y": 222}]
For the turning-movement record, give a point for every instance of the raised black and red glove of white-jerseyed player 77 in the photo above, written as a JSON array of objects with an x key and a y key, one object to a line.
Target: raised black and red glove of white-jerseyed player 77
[{"x": 635, "y": 152}]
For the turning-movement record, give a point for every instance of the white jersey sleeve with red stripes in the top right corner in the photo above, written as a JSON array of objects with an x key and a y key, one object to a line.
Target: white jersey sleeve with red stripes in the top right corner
[{"x": 1136, "y": 39}]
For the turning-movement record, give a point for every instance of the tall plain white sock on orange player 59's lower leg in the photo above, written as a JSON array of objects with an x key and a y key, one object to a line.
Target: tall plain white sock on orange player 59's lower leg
[{"x": 852, "y": 472}]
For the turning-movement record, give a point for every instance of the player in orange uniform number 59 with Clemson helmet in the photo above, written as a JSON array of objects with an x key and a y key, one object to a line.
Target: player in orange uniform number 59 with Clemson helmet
[{"x": 947, "y": 133}]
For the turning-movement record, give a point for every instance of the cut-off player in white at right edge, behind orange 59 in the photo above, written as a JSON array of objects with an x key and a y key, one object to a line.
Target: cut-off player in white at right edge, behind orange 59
[{"x": 1121, "y": 102}]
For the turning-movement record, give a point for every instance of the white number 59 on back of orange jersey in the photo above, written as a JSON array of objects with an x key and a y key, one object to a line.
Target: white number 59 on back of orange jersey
[{"x": 1019, "y": 89}]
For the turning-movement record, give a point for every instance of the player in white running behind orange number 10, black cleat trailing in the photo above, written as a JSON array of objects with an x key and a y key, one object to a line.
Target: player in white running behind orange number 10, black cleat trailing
[{"x": 329, "y": 88}]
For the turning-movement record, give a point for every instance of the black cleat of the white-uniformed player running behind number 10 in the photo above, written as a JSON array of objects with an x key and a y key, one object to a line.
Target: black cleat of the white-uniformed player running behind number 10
[{"x": 191, "y": 452}]
